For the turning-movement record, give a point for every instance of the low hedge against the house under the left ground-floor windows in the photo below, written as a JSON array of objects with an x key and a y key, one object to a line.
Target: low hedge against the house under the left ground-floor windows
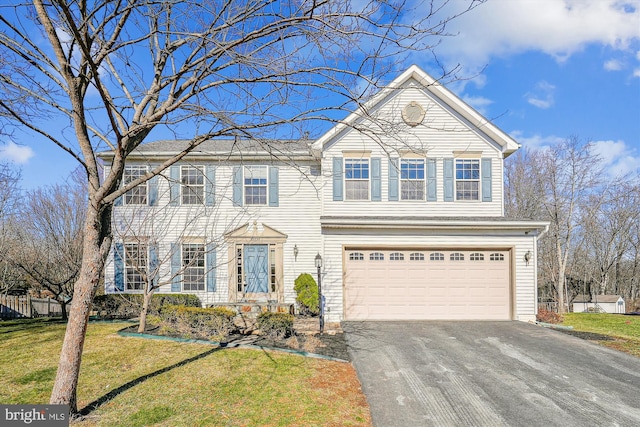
[{"x": 125, "y": 306}]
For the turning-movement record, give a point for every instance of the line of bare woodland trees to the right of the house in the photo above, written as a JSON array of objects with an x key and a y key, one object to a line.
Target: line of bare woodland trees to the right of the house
[{"x": 593, "y": 242}]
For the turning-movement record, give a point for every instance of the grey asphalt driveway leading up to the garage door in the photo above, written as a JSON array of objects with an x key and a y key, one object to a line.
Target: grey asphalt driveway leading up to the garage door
[{"x": 490, "y": 374}]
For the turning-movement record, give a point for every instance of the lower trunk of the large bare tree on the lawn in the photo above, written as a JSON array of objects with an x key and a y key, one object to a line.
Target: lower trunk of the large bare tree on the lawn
[{"x": 96, "y": 237}]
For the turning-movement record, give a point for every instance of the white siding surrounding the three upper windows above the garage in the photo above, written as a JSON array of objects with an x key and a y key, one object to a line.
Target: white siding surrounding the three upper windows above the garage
[{"x": 441, "y": 134}]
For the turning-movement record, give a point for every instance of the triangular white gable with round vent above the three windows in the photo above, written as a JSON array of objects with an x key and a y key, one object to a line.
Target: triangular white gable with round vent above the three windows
[{"x": 416, "y": 113}]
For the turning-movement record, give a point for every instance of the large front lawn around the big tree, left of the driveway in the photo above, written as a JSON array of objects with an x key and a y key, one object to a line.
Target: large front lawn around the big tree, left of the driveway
[{"x": 139, "y": 382}]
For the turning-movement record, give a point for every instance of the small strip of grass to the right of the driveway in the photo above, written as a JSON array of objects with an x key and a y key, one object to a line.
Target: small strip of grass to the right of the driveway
[{"x": 625, "y": 329}]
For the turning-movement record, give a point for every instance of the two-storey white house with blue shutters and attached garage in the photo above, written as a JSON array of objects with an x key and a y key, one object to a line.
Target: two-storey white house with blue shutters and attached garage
[{"x": 403, "y": 201}]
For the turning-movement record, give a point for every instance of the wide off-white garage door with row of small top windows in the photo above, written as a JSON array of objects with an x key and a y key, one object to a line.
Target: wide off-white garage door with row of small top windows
[{"x": 427, "y": 284}]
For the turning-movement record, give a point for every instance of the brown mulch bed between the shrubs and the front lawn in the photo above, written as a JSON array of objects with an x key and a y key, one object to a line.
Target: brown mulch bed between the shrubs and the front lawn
[{"x": 333, "y": 345}]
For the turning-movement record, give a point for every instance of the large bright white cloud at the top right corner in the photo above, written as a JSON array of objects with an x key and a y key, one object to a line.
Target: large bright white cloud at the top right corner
[{"x": 558, "y": 28}]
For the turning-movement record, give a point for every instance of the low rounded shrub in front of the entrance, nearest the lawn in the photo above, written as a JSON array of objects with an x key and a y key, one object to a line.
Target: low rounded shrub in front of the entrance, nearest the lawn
[{"x": 194, "y": 322}]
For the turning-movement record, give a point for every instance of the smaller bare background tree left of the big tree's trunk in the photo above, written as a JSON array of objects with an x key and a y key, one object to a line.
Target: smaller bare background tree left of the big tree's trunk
[{"x": 50, "y": 232}]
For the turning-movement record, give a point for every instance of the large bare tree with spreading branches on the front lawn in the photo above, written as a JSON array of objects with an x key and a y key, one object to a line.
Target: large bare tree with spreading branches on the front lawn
[{"x": 114, "y": 71}]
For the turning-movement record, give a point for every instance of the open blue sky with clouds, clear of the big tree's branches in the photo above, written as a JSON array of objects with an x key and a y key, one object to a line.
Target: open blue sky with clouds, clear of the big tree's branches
[{"x": 541, "y": 70}]
